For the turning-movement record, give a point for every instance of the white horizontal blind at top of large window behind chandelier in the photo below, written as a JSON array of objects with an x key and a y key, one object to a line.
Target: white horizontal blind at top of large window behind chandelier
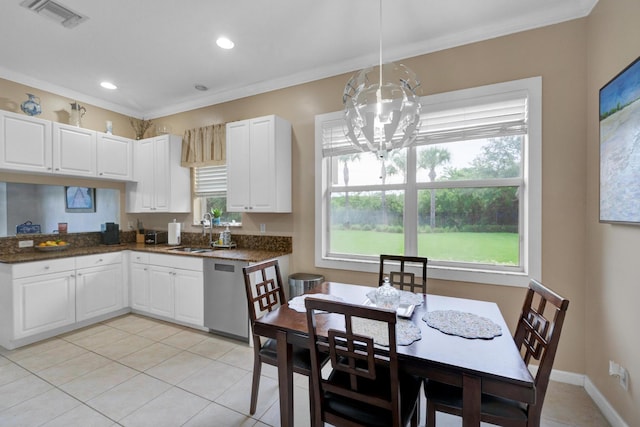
[{"x": 483, "y": 117}]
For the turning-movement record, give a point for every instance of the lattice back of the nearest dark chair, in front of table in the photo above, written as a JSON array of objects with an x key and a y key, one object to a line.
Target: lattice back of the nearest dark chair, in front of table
[{"x": 354, "y": 356}]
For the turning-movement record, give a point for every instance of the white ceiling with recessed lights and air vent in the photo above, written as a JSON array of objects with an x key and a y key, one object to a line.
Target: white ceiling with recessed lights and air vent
[{"x": 155, "y": 51}]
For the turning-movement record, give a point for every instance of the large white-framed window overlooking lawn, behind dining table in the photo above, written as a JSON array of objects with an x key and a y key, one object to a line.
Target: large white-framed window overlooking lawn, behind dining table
[{"x": 466, "y": 194}]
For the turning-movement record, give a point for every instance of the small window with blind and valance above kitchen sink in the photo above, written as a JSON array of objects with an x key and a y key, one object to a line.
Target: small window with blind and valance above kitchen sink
[{"x": 210, "y": 188}]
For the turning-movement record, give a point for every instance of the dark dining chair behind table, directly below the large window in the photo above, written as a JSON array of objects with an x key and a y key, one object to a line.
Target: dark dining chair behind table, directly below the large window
[{"x": 395, "y": 268}]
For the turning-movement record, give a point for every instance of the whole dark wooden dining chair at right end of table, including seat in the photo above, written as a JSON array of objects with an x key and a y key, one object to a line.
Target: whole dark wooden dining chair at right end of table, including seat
[{"x": 537, "y": 336}]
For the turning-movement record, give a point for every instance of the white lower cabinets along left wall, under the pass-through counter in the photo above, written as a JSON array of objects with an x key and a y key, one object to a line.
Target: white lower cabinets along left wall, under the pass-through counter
[{"x": 43, "y": 298}]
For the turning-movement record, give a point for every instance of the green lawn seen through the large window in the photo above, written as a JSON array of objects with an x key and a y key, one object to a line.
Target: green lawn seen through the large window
[{"x": 493, "y": 248}]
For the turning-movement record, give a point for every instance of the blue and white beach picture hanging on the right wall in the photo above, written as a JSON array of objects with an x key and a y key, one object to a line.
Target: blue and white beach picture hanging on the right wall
[{"x": 620, "y": 147}]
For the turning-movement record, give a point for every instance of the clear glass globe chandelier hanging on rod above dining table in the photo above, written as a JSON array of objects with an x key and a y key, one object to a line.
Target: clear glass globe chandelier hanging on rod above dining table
[{"x": 382, "y": 106}]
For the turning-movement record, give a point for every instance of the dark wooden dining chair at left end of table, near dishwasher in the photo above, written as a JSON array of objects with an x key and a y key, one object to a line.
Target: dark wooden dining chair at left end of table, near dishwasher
[{"x": 265, "y": 293}]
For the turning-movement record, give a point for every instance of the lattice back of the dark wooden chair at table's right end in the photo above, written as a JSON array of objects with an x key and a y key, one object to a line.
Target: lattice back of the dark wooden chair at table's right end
[{"x": 537, "y": 336}]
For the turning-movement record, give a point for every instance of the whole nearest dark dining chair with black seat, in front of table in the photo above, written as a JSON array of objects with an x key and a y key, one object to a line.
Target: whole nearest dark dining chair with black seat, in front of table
[{"x": 364, "y": 387}]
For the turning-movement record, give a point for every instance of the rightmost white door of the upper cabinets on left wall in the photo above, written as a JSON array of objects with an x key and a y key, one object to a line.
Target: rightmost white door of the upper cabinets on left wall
[{"x": 115, "y": 157}]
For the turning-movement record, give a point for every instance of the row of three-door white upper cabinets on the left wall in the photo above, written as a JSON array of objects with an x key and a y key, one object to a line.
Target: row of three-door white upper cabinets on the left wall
[{"x": 29, "y": 144}]
